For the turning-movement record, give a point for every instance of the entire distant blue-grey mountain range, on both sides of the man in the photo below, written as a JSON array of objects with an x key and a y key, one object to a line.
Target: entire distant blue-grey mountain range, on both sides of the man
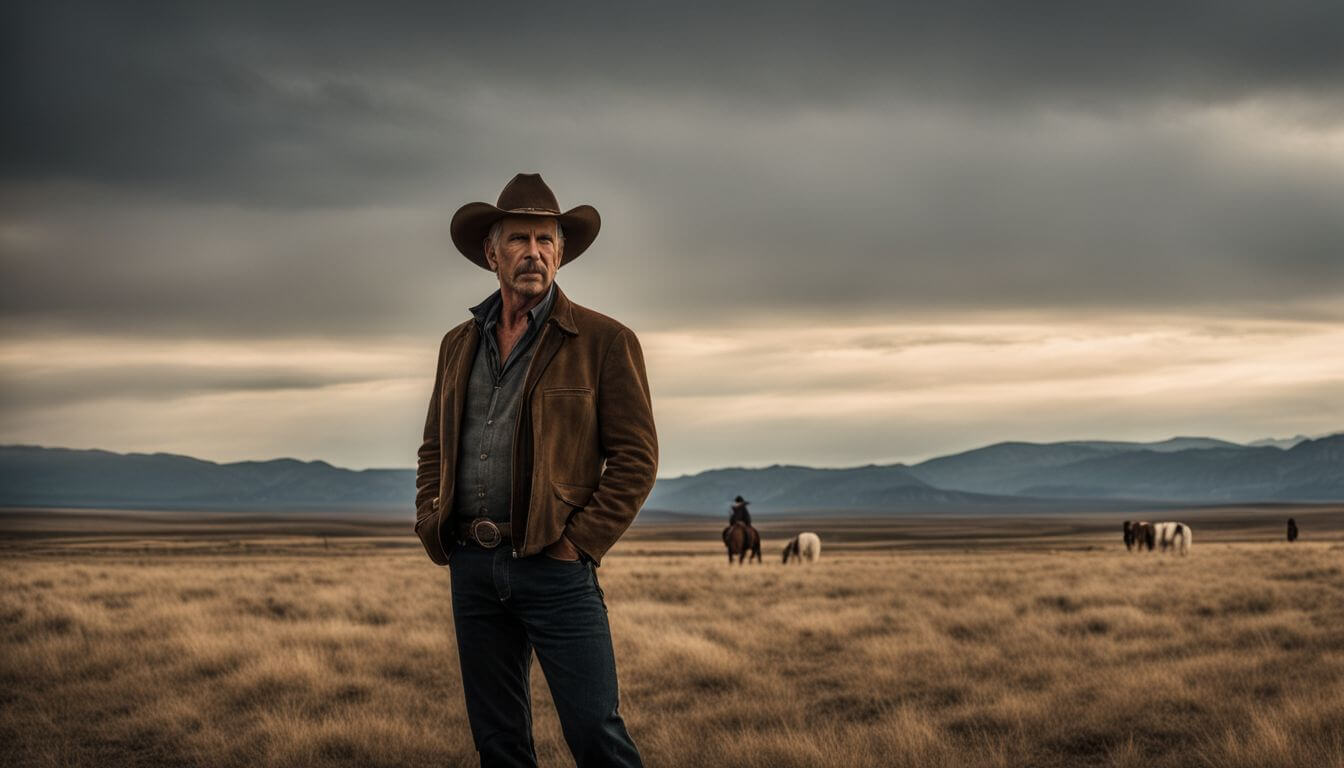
[{"x": 1193, "y": 470}]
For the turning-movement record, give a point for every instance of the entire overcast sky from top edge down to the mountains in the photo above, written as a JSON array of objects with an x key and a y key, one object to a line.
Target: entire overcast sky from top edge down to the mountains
[{"x": 843, "y": 235}]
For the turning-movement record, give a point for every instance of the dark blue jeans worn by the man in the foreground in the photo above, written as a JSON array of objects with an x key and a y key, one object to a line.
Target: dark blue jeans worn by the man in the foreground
[{"x": 503, "y": 610}]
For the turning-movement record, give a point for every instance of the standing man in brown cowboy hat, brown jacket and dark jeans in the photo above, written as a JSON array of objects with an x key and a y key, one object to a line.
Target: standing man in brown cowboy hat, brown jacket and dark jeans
[{"x": 540, "y": 450}]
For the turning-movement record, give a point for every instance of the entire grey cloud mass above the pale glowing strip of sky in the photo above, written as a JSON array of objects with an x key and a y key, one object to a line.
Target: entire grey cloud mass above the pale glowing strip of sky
[{"x": 260, "y": 170}]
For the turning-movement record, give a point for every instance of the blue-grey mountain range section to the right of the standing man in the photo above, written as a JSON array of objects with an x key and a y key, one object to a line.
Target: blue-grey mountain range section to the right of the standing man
[{"x": 1195, "y": 470}]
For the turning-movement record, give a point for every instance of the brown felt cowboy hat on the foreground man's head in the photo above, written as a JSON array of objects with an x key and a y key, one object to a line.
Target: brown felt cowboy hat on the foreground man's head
[{"x": 526, "y": 196}]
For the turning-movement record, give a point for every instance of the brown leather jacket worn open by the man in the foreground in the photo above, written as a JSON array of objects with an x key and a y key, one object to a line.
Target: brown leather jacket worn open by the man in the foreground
[{"x": 585, "y": 451}]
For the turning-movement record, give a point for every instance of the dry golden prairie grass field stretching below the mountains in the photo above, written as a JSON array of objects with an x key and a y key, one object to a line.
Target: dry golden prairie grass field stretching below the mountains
[{"x": 901, "y": 648}]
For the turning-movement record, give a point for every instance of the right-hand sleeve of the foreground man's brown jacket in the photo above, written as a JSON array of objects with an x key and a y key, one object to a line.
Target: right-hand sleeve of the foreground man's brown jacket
[{"x": 630, "y": 445}]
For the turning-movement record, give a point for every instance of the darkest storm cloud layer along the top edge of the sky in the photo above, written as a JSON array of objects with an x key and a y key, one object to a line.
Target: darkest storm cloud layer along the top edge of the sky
[{"x": 321, "y": 103}]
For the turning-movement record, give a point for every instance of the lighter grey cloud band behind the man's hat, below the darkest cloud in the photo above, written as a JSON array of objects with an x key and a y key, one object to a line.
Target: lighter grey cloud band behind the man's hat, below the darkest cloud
[{"x": 956, "y": 217}]
